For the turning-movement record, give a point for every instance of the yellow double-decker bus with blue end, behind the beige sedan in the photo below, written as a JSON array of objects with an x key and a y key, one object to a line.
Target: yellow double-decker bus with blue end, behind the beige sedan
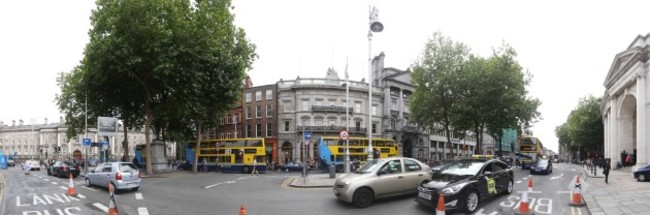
[{"x": 332, "y": 149}]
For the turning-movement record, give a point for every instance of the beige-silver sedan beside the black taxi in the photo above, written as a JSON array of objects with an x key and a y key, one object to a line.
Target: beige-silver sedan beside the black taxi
[{"x": 381, "y": 178}]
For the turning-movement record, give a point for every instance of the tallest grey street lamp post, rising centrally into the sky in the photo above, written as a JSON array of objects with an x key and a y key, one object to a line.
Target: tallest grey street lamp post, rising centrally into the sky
[{"x": 374, "y": 26}]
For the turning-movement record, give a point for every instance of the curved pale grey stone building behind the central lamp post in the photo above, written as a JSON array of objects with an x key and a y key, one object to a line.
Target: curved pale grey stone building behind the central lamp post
[{"x": 318, "y": 105}]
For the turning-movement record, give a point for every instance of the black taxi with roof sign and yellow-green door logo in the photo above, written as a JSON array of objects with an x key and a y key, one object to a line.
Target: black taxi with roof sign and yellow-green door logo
[{"x": 466, "y": 182}]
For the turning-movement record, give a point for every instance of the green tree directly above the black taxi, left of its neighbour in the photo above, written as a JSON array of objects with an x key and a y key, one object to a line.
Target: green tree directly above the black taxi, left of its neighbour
[{"x": 435, "y": 78}]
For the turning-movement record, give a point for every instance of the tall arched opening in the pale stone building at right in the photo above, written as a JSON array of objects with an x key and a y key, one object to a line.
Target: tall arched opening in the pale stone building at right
[{"x": 627, "y": 129}]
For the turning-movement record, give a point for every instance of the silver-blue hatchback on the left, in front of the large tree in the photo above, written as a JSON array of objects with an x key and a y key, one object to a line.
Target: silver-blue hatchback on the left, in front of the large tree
[{"x": 123, "y": 176}]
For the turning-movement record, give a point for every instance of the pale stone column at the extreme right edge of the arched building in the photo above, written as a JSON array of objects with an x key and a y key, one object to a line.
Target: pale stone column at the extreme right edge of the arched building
[{"x": 641, "y": 142}]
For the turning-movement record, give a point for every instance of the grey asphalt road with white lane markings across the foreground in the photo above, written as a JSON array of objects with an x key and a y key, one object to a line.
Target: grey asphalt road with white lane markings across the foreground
[{"x": 217, "y": 193}]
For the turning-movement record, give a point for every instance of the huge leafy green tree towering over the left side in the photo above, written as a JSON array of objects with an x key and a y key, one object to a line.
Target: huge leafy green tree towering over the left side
[{"x": 170, "y": 65}]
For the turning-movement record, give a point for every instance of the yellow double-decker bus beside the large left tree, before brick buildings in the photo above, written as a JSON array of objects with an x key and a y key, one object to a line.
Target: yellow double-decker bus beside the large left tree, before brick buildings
[{"x": 230, "y": 155}]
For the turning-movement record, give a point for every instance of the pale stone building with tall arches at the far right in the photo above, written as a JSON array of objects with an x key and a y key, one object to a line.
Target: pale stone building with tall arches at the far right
[{"x": 625, "y": 104}]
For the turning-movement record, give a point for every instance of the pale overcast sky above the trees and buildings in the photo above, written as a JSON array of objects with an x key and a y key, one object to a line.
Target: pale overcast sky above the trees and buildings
[{"x": 568, "y": 46}]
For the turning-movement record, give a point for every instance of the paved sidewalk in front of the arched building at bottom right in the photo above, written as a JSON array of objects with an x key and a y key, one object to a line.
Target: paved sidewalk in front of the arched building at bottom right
[{"x": 623, "y": 194}]
